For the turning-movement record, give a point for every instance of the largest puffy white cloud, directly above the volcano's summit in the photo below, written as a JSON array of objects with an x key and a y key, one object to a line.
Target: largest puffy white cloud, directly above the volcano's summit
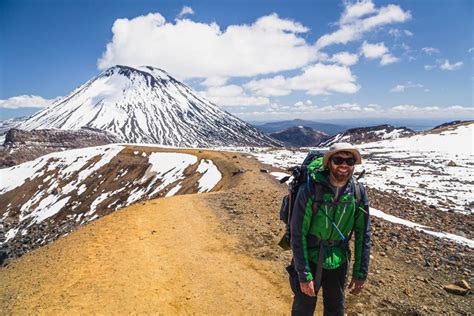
[{"x": 189, "y": 49}]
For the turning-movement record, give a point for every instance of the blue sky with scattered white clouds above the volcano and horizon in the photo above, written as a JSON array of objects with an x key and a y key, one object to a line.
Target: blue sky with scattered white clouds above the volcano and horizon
[{"x": 261, "y": 60}]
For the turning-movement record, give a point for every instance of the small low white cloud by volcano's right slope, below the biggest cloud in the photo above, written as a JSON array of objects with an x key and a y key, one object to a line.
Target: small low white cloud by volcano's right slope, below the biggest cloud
[{"x": 232, "y": 95}]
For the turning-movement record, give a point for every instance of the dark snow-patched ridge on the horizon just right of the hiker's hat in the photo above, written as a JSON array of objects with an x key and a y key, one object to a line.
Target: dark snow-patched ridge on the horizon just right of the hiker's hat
[{"x": 368, "y": 134}]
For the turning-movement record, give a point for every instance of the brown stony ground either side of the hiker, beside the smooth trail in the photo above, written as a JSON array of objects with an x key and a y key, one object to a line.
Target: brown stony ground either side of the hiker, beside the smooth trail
[{"x": 408, "y": 270}]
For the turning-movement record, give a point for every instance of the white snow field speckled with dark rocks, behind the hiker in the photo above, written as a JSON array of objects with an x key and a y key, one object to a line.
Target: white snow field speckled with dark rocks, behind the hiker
[{"x": 435, "y": 169}]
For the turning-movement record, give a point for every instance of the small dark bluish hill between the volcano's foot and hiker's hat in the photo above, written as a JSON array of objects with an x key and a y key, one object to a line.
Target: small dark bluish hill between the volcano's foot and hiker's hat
[{"x": 300, "y": 136}]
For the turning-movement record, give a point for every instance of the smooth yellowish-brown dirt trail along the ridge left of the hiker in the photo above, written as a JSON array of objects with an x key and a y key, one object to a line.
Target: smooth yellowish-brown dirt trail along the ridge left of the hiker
[{"x": 167, "y": 256}]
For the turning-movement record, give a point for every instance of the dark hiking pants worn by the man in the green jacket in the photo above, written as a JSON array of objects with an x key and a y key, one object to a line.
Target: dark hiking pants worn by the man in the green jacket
[{"x": 332, "y": 284}]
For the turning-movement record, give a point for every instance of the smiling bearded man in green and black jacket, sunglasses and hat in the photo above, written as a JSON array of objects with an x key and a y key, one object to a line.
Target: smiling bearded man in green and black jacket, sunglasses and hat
[{"x": 327, "y": 210}]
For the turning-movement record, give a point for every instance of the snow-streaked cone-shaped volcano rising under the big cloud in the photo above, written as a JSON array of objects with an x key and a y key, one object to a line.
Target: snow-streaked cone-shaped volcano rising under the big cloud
[{"x": 146, "y": 105}]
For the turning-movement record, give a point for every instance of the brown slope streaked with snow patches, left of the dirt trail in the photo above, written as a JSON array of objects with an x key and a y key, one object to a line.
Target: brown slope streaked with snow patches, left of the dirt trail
[{"x": 51, "y": 196}]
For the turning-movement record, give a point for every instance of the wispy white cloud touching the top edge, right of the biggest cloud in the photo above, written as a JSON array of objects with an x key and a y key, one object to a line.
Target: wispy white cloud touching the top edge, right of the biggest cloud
[{"x": 359, "y": 18}]
